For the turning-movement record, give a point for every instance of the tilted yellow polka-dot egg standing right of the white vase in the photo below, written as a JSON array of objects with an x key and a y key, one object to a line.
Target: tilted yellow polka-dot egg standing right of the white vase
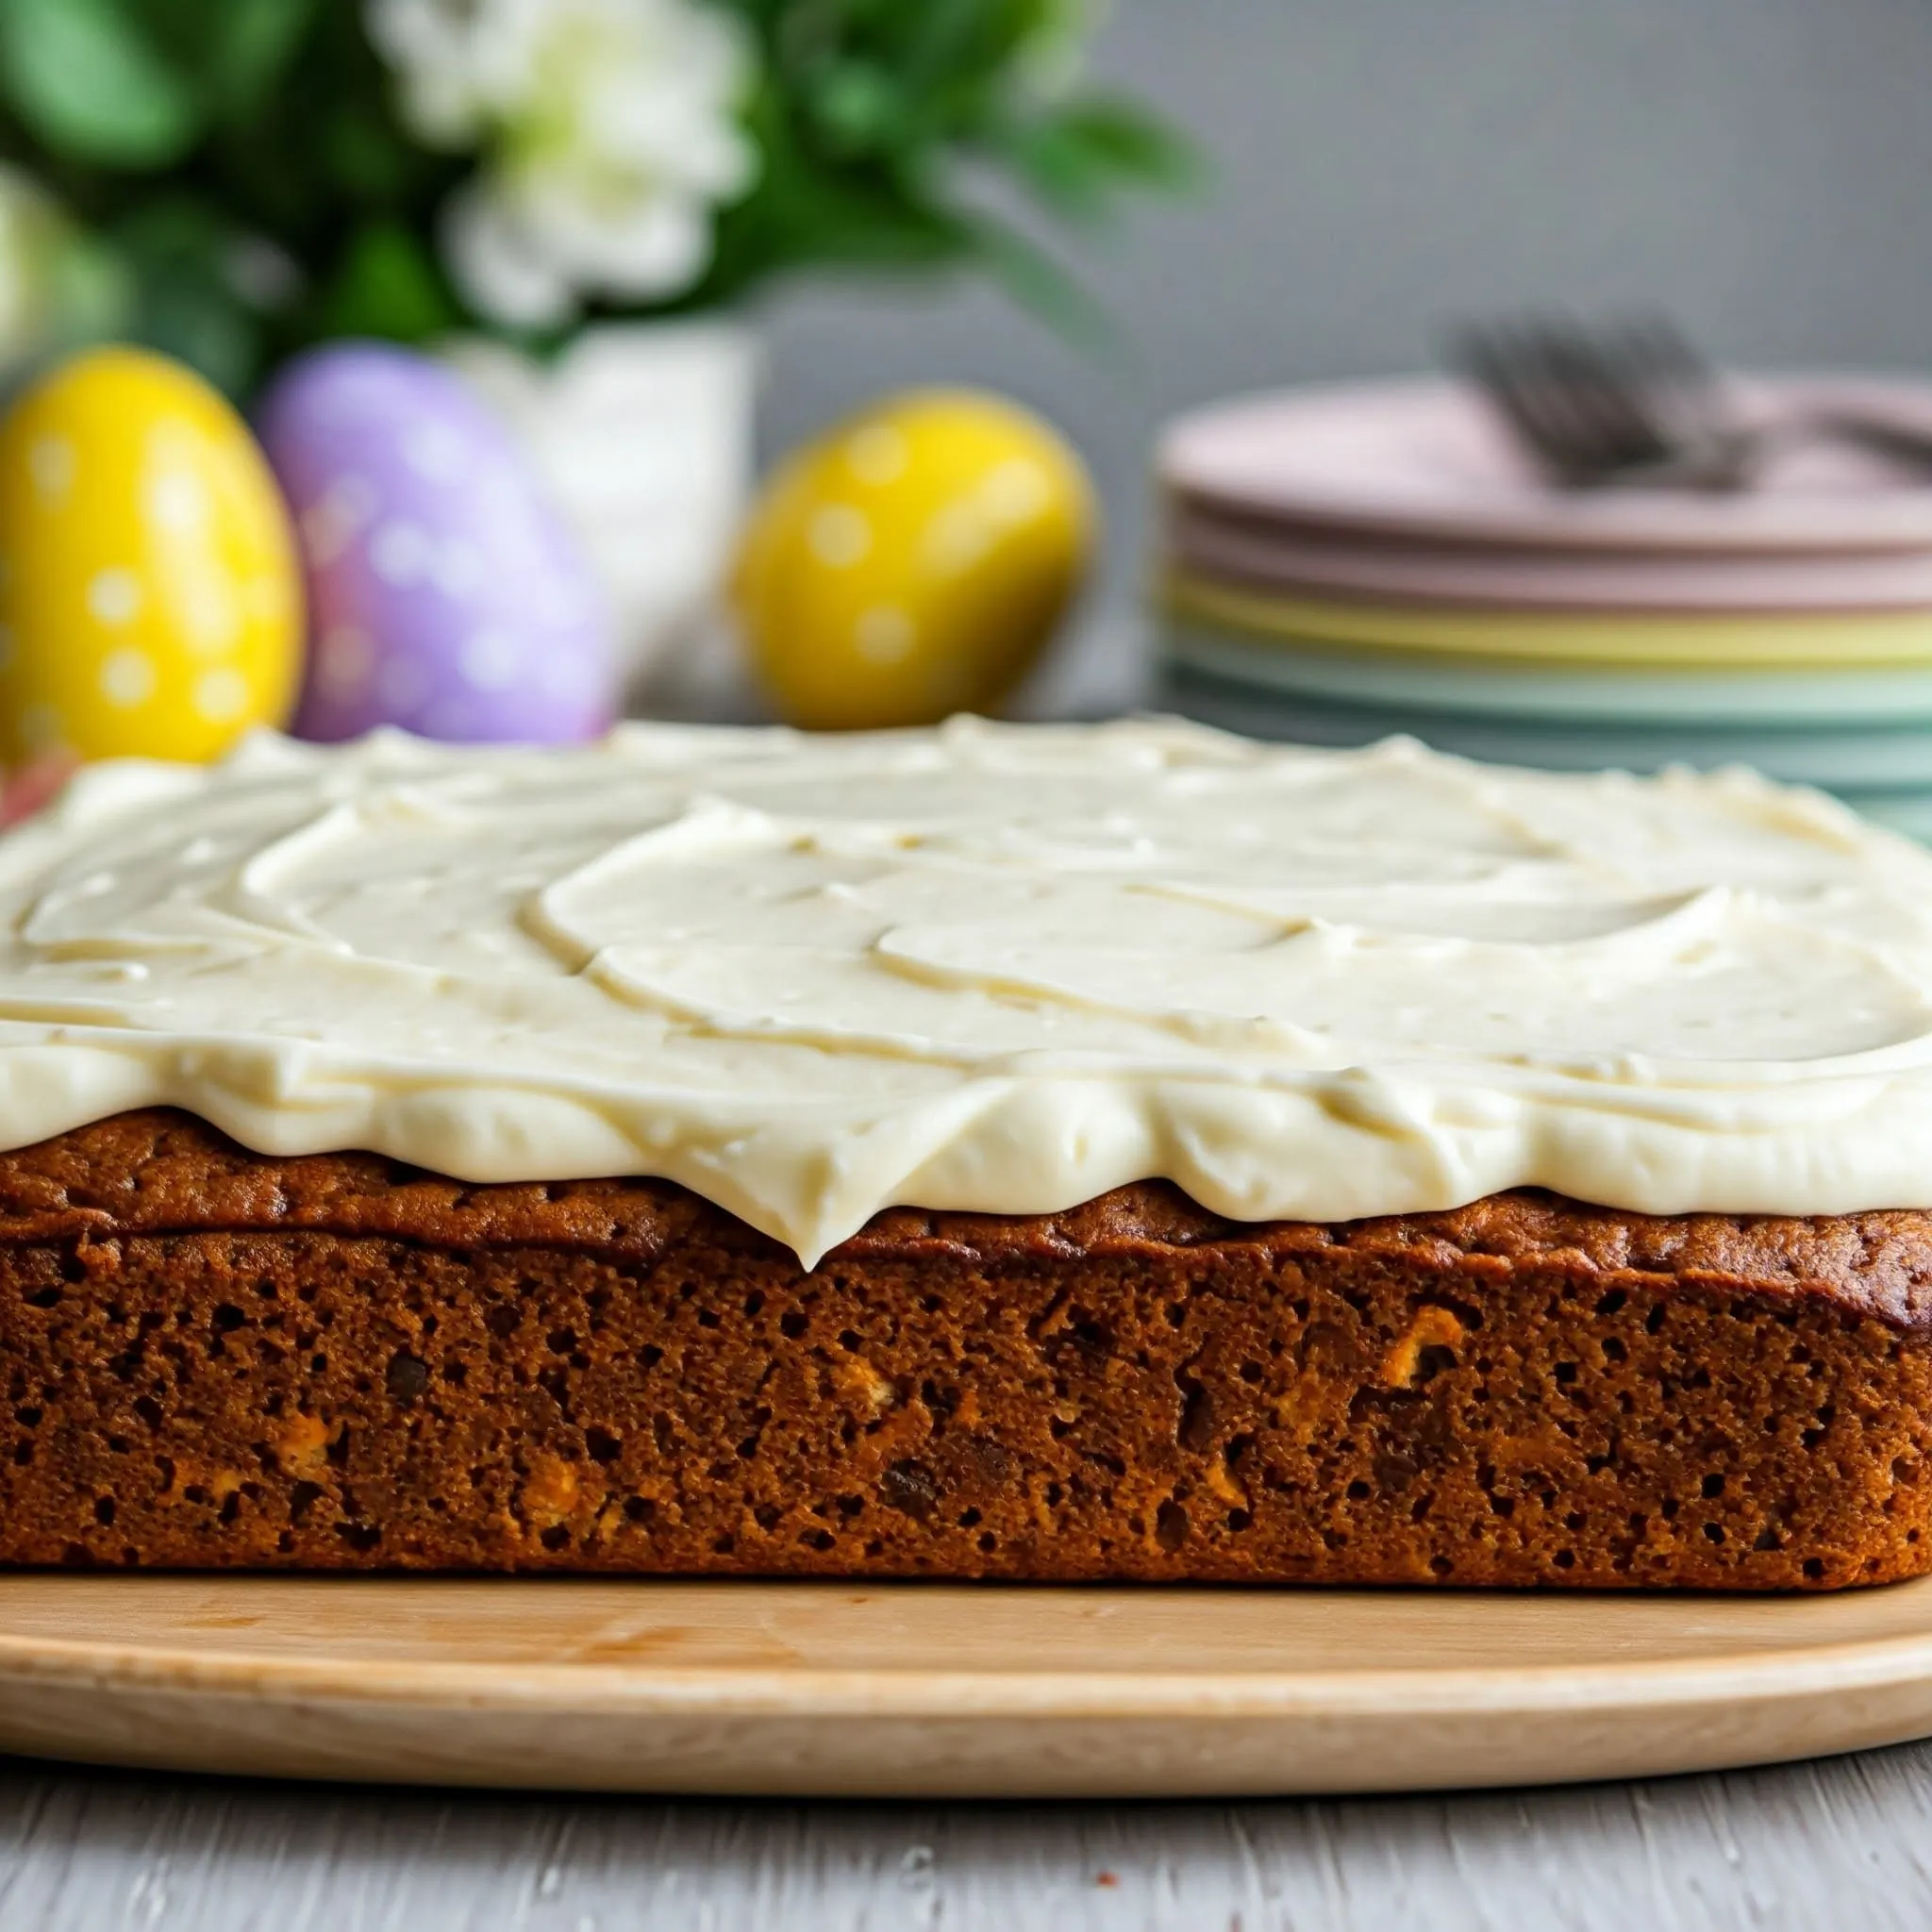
[{"x": 913, "y": 563}]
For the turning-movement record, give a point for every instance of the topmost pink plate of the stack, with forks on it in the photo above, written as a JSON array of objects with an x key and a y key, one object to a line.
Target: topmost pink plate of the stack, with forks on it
[{"x": 1427, "y": 461}]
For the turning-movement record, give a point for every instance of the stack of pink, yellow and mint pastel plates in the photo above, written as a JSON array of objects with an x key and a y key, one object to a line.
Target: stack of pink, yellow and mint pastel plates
[{"x": 1350, "y": 563}]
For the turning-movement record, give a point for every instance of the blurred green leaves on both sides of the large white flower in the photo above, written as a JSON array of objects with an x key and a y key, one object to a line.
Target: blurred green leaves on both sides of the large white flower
[{"x": 244, "y": 185}]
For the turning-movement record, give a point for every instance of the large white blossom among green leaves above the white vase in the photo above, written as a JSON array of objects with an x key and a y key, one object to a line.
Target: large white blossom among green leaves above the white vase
[{"x": 608, "y": 134}]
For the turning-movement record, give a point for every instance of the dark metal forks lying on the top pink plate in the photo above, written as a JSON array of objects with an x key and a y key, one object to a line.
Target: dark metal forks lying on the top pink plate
[{"x": 1635, "y": 403}]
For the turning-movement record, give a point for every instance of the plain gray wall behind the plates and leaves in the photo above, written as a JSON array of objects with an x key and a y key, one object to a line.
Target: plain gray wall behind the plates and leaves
[{"x": 1763, "y": 167}]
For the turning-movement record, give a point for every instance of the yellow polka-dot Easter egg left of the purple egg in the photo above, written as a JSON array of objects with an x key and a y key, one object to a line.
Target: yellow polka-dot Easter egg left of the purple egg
[{"x": 150, "y": 598}]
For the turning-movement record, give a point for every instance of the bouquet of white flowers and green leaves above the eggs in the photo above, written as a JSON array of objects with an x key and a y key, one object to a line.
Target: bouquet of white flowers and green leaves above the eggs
[{"x": 231, "y": 183}]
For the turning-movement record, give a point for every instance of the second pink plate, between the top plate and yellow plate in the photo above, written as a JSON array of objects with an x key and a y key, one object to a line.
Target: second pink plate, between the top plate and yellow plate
[{"x": 1322, "y": 563}]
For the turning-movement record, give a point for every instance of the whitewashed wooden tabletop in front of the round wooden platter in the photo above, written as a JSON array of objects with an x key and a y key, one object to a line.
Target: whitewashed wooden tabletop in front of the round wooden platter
[{"x": 1838, "y": 1844}]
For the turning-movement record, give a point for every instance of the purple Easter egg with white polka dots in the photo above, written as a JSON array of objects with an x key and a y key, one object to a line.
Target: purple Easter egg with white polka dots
[{"x": 443, "y": 590}]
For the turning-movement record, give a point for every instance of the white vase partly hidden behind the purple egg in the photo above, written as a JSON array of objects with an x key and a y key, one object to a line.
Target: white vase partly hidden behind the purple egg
[{"x": 644, "y": 436}]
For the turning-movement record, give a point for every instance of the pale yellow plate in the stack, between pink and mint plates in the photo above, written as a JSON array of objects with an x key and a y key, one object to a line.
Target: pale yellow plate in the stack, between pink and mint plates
[{"x": 1786, "y": 642}]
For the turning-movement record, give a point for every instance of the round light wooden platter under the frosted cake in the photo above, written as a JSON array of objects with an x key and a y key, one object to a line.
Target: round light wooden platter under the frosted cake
[{"x": 942, "y": 1691}]
